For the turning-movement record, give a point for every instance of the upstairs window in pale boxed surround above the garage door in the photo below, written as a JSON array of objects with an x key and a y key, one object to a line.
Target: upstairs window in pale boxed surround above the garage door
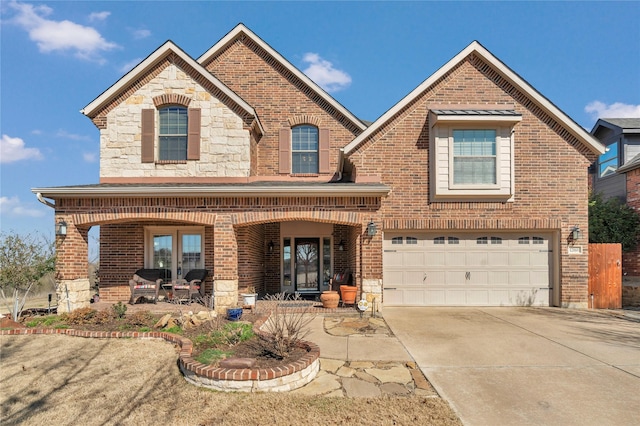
[{"x": 474, "y": 157}]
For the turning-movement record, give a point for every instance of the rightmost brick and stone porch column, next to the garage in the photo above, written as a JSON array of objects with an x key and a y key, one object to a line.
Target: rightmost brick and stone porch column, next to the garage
[{"x": 372, "y": 266}]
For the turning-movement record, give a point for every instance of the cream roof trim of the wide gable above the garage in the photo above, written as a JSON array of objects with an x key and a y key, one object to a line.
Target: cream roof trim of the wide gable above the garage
[{"x": 505, "y": 72}]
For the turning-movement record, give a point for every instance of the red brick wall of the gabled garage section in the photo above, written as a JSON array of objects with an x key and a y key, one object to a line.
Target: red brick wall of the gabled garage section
[{"x": 550, "y": 175}]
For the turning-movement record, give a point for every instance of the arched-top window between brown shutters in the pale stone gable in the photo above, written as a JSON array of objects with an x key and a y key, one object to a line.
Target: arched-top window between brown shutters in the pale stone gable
[{"x": 173, "y": 133}]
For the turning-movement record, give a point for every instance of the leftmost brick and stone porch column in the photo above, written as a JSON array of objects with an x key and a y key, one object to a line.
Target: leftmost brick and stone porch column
[{"x": 72, "y": 267}]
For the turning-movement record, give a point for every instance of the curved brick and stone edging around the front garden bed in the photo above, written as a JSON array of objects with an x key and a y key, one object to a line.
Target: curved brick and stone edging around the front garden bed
[{"x": 278, "y": 379}]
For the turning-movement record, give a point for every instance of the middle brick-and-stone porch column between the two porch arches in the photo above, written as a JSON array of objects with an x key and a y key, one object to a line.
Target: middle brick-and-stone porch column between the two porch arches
[{"x": 225, "y": 264}]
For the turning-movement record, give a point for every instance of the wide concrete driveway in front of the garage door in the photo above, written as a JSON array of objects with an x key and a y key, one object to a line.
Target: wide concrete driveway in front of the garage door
[{"x": 527, "y": 366}]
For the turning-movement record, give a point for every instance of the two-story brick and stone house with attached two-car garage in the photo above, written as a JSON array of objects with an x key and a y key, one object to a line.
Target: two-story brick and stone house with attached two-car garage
[{"x": 472, "y": 190}]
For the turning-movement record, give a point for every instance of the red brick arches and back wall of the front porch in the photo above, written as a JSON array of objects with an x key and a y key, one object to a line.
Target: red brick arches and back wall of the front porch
[{"x": 231, "y": 224}]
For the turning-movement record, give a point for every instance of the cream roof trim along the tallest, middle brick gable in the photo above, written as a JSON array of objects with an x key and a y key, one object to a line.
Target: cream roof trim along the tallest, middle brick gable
[{"x": 241, "y": 30}]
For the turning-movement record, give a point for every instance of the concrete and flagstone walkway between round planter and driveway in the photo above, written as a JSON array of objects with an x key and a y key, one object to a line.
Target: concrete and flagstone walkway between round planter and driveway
[{"x": 361, "y": 358}]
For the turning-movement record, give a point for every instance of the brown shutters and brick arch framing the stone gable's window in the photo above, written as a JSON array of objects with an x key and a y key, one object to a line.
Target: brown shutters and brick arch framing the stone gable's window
[{"x": 149, "y": 126}]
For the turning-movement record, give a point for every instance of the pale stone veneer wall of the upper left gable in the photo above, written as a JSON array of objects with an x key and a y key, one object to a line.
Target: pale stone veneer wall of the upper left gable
[{"x": 225, "y": 145}]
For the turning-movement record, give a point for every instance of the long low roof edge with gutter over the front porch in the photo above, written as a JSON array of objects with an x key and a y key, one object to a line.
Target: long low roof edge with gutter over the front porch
[{"x": 254, "y": 189}]
